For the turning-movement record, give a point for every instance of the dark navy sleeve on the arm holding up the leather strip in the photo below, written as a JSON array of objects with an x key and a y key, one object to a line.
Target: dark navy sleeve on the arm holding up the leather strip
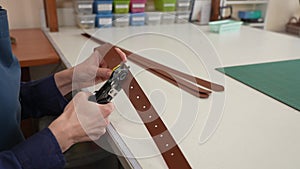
[{"x": 40, "y": 98}]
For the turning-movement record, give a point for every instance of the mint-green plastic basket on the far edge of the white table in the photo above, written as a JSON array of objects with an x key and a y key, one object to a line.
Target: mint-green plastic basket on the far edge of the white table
[{"x": 224, "y": 26}]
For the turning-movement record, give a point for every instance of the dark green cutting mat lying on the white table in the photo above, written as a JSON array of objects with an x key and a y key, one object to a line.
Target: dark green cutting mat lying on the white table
[{"x": 279, "y": 80}]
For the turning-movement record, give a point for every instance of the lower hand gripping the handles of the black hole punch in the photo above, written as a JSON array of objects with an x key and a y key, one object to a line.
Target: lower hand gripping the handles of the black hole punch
[{"x": 82, "y": 120}]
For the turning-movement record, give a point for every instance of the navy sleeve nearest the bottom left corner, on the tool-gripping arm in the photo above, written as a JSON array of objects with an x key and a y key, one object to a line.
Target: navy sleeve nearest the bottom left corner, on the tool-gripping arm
[{"x": 39, "y": 151}]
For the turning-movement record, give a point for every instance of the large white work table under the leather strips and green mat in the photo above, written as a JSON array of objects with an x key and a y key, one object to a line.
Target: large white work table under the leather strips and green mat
[{"x": 239, "y": 128}]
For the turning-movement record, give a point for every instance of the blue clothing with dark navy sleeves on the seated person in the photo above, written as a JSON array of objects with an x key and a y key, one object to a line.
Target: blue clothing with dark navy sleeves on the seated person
[{"x": 23, "y": 100}]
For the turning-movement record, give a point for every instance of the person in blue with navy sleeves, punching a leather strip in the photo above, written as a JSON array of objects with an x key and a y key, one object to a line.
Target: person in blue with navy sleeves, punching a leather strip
[{"x": 45, "y": 97}]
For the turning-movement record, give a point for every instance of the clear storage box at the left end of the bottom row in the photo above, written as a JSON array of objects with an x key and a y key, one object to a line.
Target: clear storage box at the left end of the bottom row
[{"x": 85, "y": 21}]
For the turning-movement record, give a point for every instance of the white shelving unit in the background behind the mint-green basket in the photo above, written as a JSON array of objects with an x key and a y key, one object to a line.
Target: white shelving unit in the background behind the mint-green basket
[{"x": 238, "y": 5}]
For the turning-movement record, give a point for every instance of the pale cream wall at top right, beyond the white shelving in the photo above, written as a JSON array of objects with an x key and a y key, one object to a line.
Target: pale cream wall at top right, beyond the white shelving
[{"x": 279, "y": 12}]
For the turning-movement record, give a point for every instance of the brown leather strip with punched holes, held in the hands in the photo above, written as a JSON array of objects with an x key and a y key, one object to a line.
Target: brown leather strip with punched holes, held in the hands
[{"x": 170, "y": 151}]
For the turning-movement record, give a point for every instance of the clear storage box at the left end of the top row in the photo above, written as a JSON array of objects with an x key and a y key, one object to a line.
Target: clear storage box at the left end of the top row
[{"x": 83, "y": 6}]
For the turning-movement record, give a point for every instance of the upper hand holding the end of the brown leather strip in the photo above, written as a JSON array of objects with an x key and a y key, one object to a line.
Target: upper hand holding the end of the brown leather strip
[{"x": 88, "y": 73}]
